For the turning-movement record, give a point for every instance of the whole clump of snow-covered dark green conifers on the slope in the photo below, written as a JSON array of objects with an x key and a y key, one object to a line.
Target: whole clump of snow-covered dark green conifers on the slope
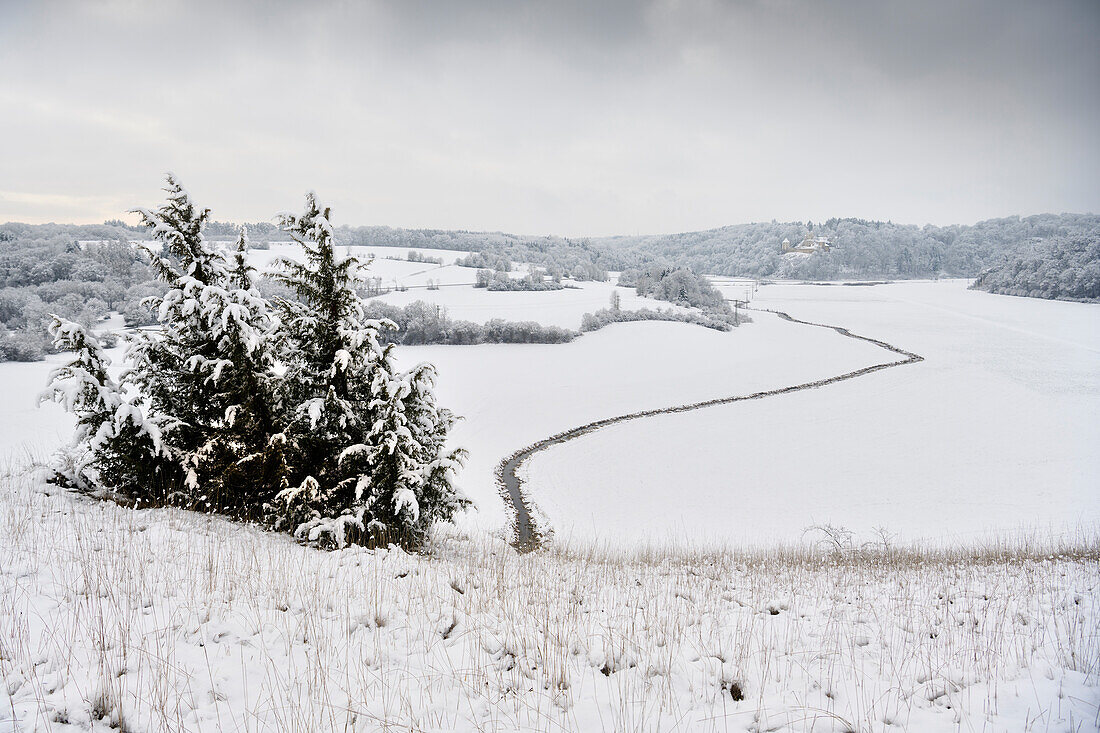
[{"x": 288, "y": 412}]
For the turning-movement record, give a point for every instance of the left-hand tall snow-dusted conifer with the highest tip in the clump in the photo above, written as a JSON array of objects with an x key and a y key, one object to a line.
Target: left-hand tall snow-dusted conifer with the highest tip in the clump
[{"x": 208, "y": 373}]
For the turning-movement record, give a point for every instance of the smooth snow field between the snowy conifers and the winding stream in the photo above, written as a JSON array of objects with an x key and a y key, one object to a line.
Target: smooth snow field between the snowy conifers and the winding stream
[{"x": 514, "y": 396}]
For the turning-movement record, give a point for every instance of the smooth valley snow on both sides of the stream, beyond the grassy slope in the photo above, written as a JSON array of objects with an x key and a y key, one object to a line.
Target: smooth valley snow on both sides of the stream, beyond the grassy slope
[{"x": 994, "y": 432}]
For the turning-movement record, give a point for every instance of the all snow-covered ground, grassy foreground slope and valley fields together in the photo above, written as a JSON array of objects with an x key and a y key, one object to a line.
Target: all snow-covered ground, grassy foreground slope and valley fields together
[{"x": 163, "y": 620}]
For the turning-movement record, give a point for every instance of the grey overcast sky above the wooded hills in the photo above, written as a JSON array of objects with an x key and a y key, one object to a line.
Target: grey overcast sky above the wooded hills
[{"x": 581, "y": 117}]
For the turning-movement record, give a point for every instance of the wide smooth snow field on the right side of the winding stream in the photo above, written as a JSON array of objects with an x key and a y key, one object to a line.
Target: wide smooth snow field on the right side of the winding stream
[{"x": 996, "y": 432}]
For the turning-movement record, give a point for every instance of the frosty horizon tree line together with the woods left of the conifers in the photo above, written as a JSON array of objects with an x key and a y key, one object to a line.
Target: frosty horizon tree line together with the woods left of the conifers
[{"x": 45, "y": 268}]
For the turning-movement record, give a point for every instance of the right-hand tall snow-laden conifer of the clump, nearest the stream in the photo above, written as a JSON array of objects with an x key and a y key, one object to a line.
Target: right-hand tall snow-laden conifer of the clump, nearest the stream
[{"x": 368, "y": 442}]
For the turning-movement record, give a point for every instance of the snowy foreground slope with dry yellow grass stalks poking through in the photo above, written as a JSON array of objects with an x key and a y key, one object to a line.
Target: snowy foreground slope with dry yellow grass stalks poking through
[{"x": 160, "y": 620}]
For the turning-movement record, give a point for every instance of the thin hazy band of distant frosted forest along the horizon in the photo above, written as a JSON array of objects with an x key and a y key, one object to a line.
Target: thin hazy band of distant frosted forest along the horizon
[{"x": 863, "y": 249}]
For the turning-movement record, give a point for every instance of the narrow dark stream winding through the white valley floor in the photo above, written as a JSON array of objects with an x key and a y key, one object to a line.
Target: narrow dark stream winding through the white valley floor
[{"x": 529, "y": 534}]
